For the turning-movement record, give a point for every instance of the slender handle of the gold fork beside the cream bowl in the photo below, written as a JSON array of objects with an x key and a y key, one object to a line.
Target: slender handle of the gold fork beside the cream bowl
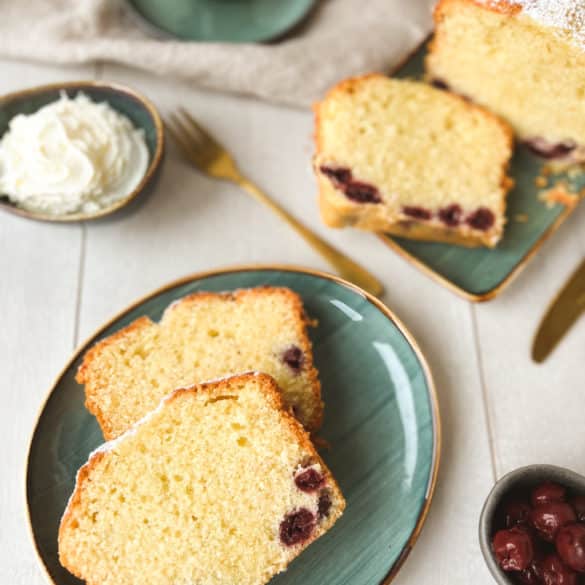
[{"x": 344, "y": 265}]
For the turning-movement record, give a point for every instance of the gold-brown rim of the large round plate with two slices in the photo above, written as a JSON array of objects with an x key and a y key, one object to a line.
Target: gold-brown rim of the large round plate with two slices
[{"x": 233, "y": 269}]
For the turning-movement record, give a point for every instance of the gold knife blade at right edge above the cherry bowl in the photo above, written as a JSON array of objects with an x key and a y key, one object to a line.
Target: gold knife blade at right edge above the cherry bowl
[{"x": 565, "y": 308}]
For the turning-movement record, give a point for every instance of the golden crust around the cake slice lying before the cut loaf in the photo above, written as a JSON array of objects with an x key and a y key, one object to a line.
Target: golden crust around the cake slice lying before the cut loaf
[{"x": 349, "y": 213}]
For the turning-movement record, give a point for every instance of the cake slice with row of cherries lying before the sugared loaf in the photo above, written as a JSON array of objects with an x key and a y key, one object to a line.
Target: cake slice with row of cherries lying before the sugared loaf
[{"x": 402, "y": 157}]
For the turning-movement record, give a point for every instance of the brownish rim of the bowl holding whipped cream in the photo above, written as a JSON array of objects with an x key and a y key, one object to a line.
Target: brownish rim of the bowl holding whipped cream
[{"x": 151, "y": 170}]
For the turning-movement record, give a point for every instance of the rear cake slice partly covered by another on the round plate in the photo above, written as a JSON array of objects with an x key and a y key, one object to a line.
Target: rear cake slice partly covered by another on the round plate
[{"x": 202, "y": 337}]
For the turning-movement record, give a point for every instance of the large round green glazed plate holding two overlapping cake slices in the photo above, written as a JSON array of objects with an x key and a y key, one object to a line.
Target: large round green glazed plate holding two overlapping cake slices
[{"x": 381, "y": 419}]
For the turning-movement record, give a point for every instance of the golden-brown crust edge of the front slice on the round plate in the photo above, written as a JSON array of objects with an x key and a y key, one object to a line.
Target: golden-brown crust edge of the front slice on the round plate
[{"x": 218, "y": 388}]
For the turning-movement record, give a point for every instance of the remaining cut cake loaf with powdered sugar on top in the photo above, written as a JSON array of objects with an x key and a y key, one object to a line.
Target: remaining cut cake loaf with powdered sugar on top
[{"x": 524, "y": 60}]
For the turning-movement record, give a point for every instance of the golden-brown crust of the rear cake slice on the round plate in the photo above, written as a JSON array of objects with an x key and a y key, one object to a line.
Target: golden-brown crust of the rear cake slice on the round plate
[{"x": 301, "y": 320}]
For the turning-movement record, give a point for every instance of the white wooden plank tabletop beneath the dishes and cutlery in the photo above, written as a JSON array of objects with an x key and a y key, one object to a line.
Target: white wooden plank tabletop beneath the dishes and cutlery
[{"x": 59, "y": 283}]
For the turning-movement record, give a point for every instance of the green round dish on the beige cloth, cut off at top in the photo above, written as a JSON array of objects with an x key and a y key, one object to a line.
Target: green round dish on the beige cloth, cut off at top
[{"x": 230, "y": 21}]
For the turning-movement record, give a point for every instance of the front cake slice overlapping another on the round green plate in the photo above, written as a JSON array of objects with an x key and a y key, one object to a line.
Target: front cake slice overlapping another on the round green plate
[{"x": 218, "y": 486}]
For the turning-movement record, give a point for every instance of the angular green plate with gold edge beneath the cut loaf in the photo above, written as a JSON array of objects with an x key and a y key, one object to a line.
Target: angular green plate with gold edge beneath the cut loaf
[{"x": 478, "y": 273}]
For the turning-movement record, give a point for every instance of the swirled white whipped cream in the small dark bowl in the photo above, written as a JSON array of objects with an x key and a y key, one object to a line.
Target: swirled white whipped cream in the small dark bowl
[{"x": 72, "y": 155}]
